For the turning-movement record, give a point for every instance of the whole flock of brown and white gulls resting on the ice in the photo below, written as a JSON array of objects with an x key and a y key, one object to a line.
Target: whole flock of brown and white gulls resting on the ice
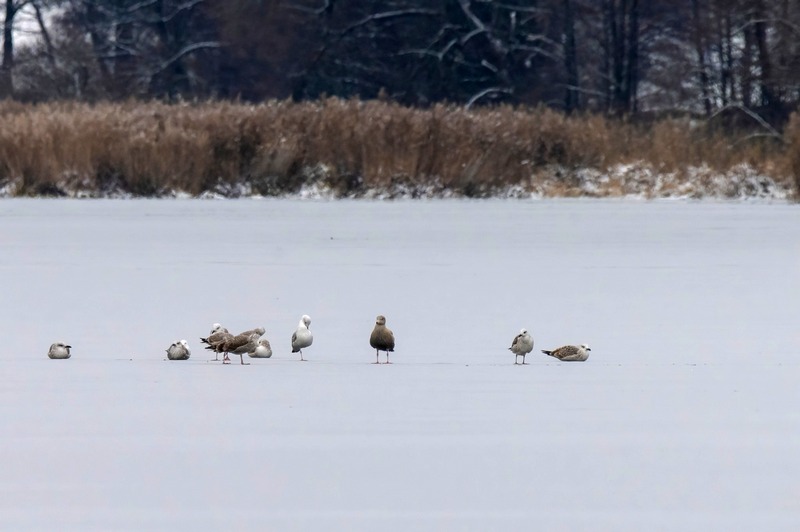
[{"x": 251, "y": 343}]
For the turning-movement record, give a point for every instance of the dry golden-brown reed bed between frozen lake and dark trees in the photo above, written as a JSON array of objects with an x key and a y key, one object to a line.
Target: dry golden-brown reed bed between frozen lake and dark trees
[{"x": 354, "y": 148}]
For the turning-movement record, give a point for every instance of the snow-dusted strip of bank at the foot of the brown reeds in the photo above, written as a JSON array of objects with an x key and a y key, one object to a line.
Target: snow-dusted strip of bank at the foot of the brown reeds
[{"x": 635, "y": 180}]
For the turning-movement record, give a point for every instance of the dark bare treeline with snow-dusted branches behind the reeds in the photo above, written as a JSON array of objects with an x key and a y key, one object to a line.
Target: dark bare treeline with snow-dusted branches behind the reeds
[{"x": 620, "y": 57}]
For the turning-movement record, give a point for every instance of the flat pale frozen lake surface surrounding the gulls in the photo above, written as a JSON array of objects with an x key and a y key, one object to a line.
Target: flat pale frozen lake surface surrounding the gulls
[{"x": 685, "y": 416}]
